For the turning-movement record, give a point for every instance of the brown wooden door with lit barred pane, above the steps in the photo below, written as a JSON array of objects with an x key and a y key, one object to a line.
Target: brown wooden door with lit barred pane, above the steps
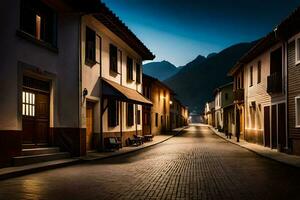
[{"x": 35, "y": 112}]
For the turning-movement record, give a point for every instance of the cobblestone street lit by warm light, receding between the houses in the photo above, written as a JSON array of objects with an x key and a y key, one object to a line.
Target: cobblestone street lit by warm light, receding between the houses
[{"x": 194, "y": 165}]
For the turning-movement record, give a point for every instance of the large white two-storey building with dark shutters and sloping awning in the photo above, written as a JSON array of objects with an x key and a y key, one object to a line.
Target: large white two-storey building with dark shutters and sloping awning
[{"x": 60, "y": 62}]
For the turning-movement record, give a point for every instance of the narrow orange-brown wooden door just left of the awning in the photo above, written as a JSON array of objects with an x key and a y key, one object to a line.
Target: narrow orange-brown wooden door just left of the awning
[{"x": 89, "y": 126}]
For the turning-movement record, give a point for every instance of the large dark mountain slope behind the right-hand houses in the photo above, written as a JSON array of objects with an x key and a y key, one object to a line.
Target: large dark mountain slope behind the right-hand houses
[{"x": 195, "y": 82}]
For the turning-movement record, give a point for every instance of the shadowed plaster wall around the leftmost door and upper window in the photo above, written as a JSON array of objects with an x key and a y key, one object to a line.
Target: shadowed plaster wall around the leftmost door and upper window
[{"x": 63, "y": 65}]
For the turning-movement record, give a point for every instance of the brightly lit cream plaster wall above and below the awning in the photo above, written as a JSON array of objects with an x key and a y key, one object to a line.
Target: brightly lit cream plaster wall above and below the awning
[{"x": 90, "y": 75}]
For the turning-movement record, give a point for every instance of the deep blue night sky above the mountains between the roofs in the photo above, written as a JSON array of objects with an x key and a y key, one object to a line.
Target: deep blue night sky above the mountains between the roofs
[{"x": 180, "y": 30}]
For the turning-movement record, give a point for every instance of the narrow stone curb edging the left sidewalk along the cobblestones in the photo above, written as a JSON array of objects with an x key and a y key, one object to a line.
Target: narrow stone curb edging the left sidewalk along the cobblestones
[{"x": 23, "y": 172}]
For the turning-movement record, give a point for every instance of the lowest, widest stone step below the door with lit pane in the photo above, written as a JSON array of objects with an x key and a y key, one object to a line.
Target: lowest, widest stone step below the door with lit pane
[{"x": 25, "y": 160}]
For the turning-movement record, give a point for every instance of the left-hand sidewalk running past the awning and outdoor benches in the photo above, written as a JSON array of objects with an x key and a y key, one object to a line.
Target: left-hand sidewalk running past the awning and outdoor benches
[{"x": 10, "y": 172}]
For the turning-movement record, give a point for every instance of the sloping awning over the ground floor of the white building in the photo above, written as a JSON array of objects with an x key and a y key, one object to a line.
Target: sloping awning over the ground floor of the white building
[{"x": 114, "y": 90}]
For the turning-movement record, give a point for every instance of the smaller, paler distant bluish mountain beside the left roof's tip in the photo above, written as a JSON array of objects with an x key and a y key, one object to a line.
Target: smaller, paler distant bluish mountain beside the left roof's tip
[{"x": 160, "y": 70}]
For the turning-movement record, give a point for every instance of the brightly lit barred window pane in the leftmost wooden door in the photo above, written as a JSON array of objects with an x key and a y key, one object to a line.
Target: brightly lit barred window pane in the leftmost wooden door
[{"x": 28, "y": 104}]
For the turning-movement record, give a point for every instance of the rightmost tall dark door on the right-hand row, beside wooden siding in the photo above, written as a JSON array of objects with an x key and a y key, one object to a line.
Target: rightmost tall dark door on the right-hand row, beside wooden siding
[{"x": 281, "y": 126}]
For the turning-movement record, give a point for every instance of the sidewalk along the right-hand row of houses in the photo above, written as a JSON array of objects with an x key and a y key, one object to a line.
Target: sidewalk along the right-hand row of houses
[{"x": 284, "y": 158}]
